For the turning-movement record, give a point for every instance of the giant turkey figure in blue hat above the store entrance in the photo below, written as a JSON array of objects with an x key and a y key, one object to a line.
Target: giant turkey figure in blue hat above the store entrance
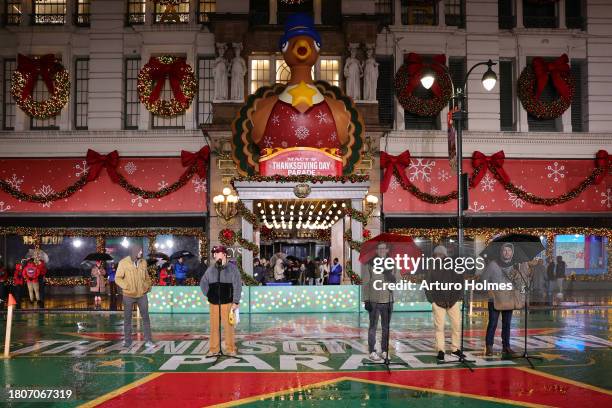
[{"x": 300, "y": 120}]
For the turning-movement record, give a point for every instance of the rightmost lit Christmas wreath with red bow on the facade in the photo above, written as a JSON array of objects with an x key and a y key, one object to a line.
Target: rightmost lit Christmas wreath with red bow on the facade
[{"x": 534, "y": 79}]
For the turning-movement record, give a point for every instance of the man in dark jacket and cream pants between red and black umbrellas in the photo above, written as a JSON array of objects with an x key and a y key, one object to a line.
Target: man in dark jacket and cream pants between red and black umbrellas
[{"x": 445, "y": 302}]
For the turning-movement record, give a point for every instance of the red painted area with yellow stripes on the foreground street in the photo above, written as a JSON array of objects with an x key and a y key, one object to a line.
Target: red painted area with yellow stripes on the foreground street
[{"x": 496, "y": 384}]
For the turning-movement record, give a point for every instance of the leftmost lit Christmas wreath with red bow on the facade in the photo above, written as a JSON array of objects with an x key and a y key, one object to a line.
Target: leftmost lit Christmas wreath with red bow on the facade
[{"x": 55, "y": 77}]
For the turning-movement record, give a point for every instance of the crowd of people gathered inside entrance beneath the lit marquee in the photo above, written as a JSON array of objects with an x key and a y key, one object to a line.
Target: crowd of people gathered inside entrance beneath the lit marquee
[{"x": 291, "y": 270}]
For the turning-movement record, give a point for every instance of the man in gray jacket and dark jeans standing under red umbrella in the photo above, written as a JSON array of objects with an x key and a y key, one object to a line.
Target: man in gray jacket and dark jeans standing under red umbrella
[{"x": 378, "y": 301}]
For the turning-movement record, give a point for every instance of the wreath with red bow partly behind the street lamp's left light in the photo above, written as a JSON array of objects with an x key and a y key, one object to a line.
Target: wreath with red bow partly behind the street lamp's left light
[{"x": 408, "y": 78}]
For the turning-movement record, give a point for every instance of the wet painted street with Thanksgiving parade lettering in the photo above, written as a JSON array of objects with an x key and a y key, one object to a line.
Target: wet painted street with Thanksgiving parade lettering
[{"x": 307, "y": 360}]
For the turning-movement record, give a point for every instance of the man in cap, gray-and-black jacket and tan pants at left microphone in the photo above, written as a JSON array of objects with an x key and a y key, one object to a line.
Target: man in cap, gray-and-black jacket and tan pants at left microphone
[{"x": 222, "y": 285}]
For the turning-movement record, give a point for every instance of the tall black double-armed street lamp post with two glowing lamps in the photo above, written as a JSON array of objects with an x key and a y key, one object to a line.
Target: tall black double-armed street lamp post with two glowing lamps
[{"x": 489, "y": 79}]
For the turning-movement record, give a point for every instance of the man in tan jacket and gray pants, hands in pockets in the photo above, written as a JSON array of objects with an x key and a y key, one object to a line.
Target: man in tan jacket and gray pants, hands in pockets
[{"x": 132, "y": 277}]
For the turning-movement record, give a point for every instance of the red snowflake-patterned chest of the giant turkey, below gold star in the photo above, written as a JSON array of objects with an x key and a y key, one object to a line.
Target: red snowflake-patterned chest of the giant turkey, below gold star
[{"x": 288, "y": 127}]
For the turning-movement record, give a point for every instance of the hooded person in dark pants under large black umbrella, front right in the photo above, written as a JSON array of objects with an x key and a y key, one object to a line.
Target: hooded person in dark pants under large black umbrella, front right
[{"x": 504, "y": 270}]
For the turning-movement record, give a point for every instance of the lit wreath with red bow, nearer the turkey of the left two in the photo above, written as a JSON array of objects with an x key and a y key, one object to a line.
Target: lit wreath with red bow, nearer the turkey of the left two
[{"x": 152, "y": 78}]
